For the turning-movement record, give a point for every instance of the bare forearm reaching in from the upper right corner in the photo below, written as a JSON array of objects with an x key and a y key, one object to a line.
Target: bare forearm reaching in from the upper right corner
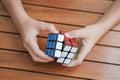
[{"x": 111, "y": 17}]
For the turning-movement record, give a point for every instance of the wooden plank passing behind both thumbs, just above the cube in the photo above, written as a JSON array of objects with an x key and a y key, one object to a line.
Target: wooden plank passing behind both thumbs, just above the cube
[{"x": 111, "y": 38}]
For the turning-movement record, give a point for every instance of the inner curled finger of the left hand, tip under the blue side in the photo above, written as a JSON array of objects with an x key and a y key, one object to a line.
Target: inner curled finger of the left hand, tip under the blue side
[{"x": 33, "y": 46}]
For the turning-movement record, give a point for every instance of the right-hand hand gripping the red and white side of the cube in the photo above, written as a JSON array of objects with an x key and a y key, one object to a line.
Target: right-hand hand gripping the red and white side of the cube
[{"x": 90, "y": 34}]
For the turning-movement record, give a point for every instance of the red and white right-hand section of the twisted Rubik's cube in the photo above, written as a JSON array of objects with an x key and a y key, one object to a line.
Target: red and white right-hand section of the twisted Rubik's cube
[{"x": 68, "y": 53}]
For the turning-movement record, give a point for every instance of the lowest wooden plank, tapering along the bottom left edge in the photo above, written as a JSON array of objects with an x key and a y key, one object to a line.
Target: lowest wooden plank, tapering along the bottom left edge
[{"x": 6, "y": 74}]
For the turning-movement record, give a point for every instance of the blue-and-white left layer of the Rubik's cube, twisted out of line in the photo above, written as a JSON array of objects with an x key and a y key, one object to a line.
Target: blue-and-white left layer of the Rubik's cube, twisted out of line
[{"x": 54, "y": 44}]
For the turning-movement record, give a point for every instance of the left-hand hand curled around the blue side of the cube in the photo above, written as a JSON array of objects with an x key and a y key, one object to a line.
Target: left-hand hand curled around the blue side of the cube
[{"x": 29, "y": 30}]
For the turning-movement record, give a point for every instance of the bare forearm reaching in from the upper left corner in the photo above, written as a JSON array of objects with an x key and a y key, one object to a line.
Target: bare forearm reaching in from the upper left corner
[{"x": 15, "y": 10}]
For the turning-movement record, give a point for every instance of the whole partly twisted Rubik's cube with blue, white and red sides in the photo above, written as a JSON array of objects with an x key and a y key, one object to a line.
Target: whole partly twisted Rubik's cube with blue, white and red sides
[{"x": 62, "y": 48}]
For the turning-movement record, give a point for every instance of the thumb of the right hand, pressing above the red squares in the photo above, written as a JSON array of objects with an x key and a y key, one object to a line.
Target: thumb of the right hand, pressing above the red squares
[{"x": 76, "y": 33}]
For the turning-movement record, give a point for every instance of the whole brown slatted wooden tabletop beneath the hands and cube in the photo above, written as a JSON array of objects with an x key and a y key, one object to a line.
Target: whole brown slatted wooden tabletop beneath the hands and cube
[{"x": 102, "y": 63}]
